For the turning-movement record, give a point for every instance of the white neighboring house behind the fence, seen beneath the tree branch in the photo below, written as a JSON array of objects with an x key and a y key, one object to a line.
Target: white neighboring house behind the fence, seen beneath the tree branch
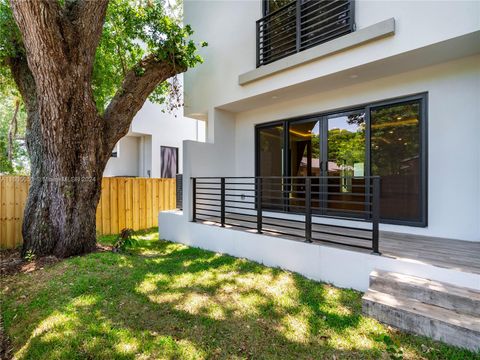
[{"x": 153, "y": 146}]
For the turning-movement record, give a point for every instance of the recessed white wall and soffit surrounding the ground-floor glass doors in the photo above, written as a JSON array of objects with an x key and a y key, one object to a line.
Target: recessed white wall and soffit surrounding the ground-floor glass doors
[{"x": 453, "y": 138}]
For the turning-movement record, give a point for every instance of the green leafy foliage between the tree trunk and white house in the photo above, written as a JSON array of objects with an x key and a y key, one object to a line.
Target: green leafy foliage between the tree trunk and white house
[{"x": 130, "y": 32}]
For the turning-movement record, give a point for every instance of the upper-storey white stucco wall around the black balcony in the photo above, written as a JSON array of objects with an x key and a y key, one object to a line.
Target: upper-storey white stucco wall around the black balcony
[{"x": 229, "y": 29}]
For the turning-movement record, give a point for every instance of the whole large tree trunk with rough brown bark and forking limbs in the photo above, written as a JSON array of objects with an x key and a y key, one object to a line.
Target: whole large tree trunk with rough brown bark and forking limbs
[{"x": 69, "y": 143}]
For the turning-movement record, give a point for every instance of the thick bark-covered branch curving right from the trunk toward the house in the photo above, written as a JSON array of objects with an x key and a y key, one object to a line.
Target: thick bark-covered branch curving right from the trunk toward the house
[{"x": 138, "y": 84}]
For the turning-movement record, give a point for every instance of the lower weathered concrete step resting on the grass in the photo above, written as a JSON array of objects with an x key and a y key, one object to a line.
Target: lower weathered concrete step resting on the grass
[{"x": 428, "y": 320}]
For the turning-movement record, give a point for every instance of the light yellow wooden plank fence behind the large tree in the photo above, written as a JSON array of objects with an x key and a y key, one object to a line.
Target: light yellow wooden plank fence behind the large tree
[{"x": 125, "y": 203}]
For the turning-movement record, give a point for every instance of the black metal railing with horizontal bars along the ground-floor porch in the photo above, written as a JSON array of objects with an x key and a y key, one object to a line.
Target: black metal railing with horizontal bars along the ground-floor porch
[{"x": 293, "y": 207}]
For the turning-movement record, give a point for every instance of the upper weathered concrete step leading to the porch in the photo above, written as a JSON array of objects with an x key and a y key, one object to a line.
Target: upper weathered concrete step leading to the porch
[{"x": 460, "y": 299}]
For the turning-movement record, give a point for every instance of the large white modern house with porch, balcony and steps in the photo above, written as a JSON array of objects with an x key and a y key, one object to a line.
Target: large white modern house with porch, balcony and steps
[{"x": 306, "y": 100}]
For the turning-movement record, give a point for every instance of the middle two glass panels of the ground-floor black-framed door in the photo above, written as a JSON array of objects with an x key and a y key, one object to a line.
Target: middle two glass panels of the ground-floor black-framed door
[{"x": 332, "y": 146}]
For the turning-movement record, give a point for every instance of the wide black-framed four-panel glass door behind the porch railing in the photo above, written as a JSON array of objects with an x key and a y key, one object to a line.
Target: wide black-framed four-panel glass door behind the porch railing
[{"x": 387, "y": 139}]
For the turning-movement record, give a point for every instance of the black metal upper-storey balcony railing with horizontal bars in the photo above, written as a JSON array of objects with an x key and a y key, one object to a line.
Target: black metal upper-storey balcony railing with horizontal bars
[{"x": 301, "y": 25}]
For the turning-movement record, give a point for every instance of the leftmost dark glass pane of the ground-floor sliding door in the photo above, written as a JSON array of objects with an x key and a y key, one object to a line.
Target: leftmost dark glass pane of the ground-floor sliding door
[{"x": 271, "y": 146}]
